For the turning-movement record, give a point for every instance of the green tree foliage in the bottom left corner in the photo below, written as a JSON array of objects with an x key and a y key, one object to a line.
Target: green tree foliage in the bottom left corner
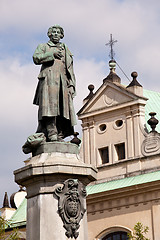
[{"x": 3, "y": 225}]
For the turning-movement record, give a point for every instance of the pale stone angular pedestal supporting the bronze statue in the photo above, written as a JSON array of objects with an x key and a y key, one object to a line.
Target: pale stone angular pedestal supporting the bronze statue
[{"x": 42, "y": 176}]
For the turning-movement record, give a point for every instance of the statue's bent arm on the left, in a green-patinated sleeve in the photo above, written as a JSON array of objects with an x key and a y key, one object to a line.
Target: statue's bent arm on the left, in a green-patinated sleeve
[{"x": 41, "y": 55}]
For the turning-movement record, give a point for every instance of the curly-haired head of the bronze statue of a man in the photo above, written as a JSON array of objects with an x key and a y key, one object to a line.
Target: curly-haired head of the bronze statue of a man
[{"x": 55, "y": 29}]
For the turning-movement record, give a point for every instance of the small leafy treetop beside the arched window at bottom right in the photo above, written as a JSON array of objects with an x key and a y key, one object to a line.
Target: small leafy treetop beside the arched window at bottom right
[{"x": 139, "y": 232}]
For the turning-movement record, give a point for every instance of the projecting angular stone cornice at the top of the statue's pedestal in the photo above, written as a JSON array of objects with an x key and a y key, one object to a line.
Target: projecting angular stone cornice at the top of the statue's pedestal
[{"x": 51, "y": 168}]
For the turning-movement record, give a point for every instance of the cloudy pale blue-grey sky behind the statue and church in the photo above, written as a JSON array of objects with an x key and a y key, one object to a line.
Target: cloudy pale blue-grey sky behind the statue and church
[{"x": 88, "y": 25}]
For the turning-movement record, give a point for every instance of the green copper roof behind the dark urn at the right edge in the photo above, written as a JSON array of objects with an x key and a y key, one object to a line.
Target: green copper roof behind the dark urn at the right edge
[{"x": 152, "y": 105}]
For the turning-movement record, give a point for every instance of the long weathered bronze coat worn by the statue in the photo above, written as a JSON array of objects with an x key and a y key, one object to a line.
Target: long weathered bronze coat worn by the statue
[{"x": 55, "y": 79}]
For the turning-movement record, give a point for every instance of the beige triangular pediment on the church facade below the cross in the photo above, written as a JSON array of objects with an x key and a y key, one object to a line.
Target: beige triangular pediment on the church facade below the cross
[{"x": 108, "y": 95}]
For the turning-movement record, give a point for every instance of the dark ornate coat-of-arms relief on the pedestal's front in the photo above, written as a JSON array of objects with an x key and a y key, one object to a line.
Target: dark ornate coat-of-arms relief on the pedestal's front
[{"x": 71, "y": 205}]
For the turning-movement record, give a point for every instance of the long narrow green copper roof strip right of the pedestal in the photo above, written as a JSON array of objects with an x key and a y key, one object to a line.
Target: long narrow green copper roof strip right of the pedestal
[{"x": 122, "y": 183}]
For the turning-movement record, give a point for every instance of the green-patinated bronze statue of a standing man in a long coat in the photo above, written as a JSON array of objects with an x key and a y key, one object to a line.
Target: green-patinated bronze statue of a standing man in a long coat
[{"x": 56, "y": 87}]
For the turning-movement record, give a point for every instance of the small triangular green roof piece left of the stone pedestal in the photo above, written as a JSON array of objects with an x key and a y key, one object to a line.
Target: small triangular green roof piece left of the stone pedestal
[{"x": 19, "y": 217}]
